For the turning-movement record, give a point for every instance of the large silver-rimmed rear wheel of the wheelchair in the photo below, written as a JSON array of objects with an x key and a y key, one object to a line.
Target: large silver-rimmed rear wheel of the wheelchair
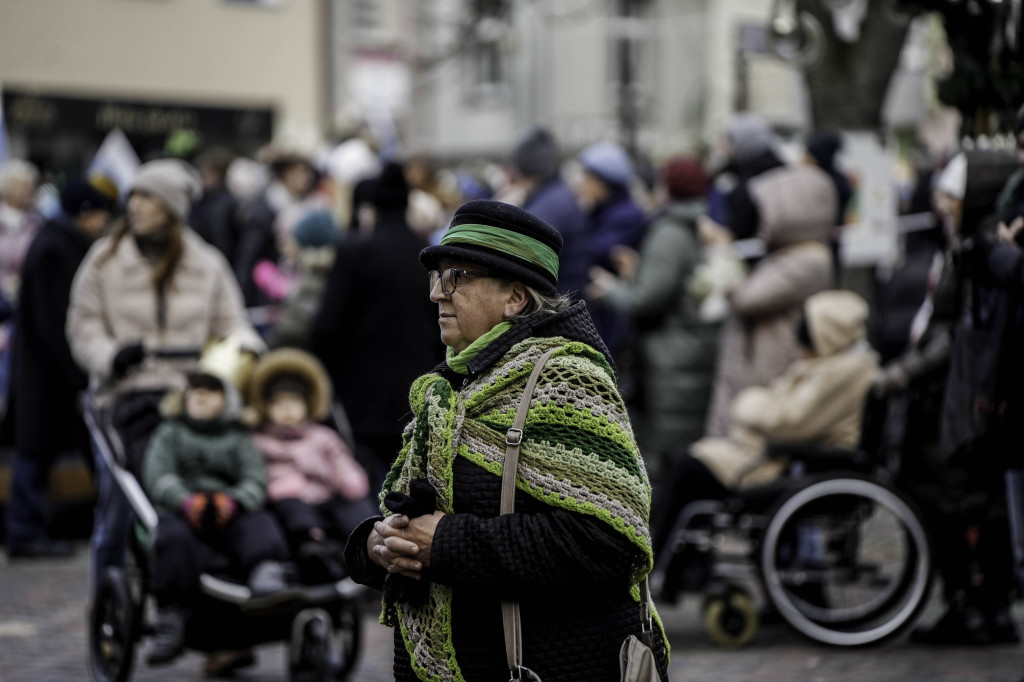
[{"x": 846, "y": 562}]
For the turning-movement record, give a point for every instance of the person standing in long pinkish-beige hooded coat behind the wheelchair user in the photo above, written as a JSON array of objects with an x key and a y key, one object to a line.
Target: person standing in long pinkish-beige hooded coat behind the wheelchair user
[{"x": 797, "y": 207}]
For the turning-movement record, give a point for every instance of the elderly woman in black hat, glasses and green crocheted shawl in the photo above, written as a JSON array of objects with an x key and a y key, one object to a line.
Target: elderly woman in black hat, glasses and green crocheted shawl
[{"x": 578, "y": 545}]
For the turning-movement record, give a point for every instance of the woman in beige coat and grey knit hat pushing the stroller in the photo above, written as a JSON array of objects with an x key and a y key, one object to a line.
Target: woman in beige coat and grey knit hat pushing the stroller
[{"x": 151, "y": 285}]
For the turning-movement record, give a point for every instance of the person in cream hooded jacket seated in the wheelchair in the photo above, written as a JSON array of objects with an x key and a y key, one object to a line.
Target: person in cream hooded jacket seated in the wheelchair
[{"x": 819, "y": 400}]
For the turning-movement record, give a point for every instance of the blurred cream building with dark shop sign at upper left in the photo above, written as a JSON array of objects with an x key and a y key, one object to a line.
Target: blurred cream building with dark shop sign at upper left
[{"x": 238, "y": 72}]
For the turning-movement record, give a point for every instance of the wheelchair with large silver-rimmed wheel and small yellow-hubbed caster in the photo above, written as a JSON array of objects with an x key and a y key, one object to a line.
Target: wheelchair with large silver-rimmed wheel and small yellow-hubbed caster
[{"x": 831, "y": 547}]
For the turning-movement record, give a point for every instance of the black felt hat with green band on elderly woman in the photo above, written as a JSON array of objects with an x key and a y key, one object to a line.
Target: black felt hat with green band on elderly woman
[{"x": 504, "y": 239}]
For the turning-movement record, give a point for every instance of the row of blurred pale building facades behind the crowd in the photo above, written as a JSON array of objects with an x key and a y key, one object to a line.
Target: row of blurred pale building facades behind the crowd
[{"x": 455, "y": 79}]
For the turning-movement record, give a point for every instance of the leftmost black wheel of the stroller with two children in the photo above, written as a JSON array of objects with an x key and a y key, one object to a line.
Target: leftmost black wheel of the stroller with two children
[{"x": 112, "y": 629}]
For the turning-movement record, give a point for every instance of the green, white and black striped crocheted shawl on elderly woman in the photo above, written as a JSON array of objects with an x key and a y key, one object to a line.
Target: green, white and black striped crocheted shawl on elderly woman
[{"x": 578, "y": 454}]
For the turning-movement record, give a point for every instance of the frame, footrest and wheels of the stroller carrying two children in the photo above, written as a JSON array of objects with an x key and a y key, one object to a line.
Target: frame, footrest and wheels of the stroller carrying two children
[{"x": 323, "y": 628}]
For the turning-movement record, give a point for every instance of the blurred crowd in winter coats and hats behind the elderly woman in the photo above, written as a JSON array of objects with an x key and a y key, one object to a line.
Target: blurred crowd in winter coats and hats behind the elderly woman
[{"x": 698, "y": 272}]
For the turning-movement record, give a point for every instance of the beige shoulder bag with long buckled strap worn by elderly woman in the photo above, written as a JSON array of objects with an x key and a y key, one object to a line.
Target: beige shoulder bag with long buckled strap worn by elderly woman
[{"x": 636, "y": 658}]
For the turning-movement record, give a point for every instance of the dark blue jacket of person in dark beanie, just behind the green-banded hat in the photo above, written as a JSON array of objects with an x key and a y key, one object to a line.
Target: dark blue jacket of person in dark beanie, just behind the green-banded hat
[{"x": 553, "y": 202}]
